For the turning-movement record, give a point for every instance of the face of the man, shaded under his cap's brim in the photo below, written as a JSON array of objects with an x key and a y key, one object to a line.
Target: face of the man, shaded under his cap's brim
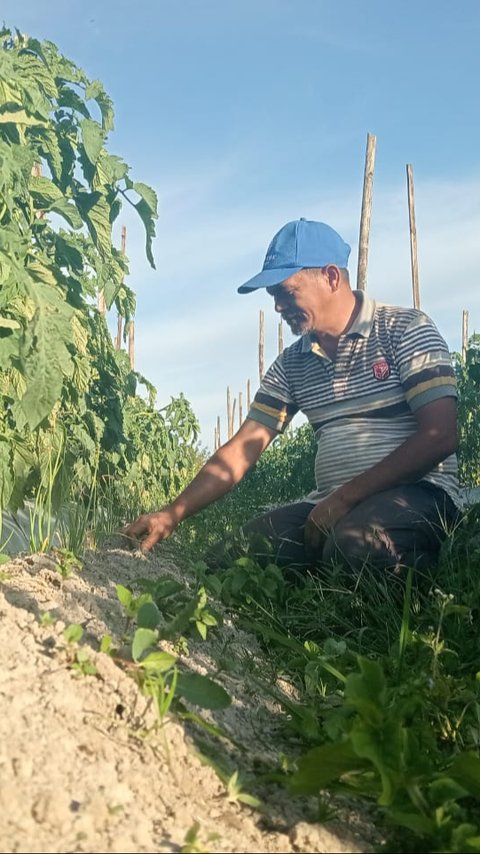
[{"x": 299, "y": 299}]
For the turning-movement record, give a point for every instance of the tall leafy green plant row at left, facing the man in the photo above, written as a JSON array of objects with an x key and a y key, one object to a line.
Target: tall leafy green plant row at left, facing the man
[{"x": 68, "y": 400}]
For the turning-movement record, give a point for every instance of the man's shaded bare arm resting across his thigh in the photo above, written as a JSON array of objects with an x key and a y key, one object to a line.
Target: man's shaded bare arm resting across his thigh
[{"x": 434, "y": 440}]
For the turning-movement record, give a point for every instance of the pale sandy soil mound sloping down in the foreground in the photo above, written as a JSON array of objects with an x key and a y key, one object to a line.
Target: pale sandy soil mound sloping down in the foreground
[{"x": 83, "y": 765}]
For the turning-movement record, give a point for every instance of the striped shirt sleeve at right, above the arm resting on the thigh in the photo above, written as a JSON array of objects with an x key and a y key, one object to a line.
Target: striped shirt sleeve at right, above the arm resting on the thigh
[{"x": 424, "y": 363}]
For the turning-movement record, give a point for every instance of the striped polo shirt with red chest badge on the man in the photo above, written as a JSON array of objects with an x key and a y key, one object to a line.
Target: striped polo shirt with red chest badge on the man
[{"x": 361, "y": 406}]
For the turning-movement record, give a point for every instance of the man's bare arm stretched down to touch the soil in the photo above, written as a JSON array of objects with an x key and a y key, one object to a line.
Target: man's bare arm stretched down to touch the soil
[{"x": 220, "y": 473}]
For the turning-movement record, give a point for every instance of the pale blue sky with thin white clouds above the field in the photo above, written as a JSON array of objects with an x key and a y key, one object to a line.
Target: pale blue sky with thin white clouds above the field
[{"x": 245, "y": 115}]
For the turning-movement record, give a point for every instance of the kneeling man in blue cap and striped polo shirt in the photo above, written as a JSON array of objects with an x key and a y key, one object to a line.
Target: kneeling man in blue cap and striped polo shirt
[{"x": 377, "y": 385}]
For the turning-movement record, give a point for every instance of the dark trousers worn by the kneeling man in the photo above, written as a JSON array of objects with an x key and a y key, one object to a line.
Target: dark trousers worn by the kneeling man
[{"x": 399, "y": 527}]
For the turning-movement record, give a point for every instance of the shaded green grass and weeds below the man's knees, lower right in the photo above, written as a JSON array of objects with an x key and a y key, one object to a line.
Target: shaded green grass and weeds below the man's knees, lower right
[{"x": 387, "y": 675}]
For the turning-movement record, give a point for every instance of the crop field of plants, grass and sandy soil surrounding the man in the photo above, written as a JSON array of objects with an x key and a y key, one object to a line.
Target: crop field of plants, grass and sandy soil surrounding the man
[{"x": 149, "y": 703}]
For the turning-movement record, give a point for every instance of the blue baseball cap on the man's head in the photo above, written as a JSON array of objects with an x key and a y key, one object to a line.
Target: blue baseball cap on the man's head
[{"x": 299, "y": 244}]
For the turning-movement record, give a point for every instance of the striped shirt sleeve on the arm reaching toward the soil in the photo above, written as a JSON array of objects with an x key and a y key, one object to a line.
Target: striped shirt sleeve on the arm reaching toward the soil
[{"x": 273, "y": 404}]
